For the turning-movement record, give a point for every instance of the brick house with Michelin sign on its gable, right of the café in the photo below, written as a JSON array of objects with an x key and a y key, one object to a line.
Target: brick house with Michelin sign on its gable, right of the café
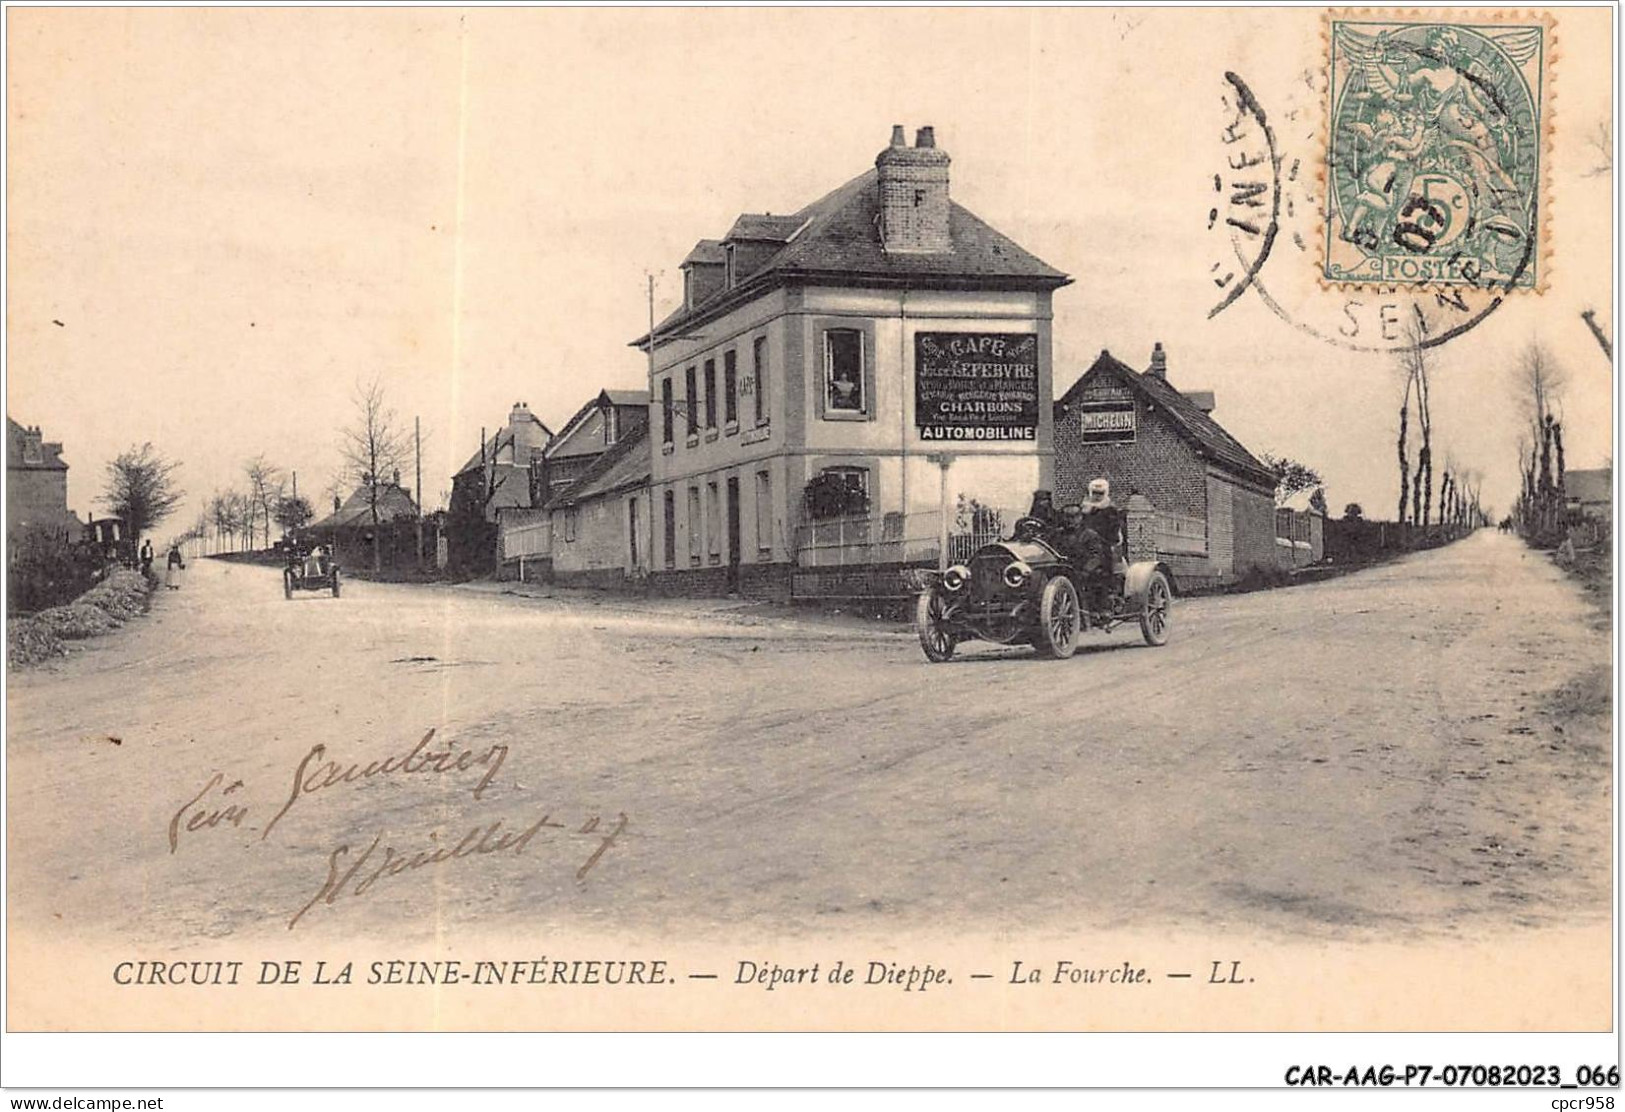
[{"x": 1215, "y": 500}]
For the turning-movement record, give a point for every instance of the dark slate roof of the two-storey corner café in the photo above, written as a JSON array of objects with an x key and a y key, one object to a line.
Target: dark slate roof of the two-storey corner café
[{"x": 841, "y": 245}]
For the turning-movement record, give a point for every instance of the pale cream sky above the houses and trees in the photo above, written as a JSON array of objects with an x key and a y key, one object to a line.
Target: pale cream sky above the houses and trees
[{"x": 222, "y": 222}]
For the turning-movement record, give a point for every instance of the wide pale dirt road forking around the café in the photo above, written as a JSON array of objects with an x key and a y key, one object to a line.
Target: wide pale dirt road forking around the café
[{"x": 1371, "y": 754}]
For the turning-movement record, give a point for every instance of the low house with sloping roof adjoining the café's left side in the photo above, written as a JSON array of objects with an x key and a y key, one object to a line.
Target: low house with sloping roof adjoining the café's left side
[{"x": 600, "y": 526}]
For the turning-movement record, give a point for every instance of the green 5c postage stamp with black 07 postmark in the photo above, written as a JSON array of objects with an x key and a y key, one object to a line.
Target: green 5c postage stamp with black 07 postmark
[{"x": 1436, "y": 149}]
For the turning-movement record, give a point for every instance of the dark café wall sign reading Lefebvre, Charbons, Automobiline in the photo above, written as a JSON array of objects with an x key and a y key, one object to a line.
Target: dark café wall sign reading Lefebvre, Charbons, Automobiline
[{"x": 977, "y": 386}]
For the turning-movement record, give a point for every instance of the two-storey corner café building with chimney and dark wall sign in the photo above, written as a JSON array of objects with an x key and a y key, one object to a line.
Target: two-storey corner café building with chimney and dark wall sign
[{"x": 839, "y": 381}]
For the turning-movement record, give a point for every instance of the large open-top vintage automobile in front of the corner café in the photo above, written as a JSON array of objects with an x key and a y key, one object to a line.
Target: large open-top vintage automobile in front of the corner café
[{"x": 1025, "y": 591}]
